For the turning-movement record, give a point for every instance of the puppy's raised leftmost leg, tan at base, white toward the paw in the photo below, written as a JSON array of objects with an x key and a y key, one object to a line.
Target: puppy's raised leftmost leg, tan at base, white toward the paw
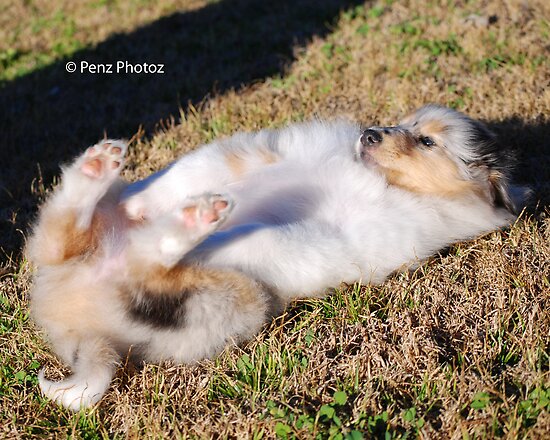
[{"x": 67, "y": 226}]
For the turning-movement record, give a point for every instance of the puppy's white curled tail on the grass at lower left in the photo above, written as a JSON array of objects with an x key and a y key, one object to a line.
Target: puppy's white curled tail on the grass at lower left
[{"x": 93, "y": 371}]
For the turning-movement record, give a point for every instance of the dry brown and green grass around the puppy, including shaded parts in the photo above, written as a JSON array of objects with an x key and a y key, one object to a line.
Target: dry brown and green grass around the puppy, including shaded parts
[{"x": 457, "y": 349}]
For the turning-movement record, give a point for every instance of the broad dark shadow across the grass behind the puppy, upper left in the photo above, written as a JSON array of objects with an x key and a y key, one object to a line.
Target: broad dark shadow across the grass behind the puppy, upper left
[{"x": 49, "y": 115}]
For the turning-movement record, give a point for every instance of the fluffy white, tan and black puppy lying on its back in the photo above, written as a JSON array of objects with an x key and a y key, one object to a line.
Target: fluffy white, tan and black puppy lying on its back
[{"x": 150, "y": 267}]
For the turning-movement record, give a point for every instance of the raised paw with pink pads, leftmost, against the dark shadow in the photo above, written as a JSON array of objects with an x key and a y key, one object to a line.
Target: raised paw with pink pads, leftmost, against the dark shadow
[{"x": 104, "y": 160}]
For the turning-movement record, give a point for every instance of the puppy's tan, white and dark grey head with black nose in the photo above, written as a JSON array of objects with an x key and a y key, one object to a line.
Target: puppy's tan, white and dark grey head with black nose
[{"x": 439, "y": 151}]
